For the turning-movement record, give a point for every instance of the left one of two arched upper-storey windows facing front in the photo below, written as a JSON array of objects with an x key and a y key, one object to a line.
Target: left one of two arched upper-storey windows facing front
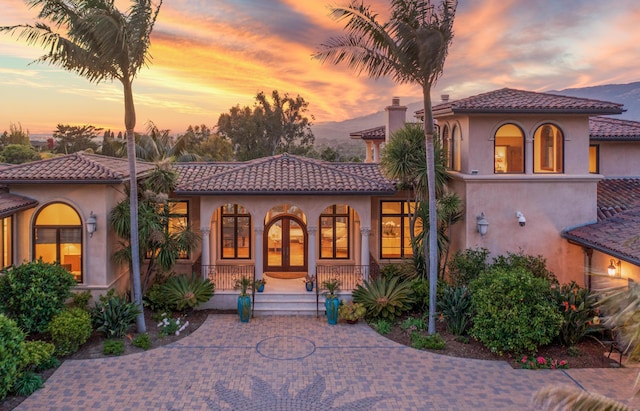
[{"x": 509, "y": 150}]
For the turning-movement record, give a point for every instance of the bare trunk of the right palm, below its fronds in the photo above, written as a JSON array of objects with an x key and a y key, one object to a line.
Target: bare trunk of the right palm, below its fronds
[{"x": 431, "y": 246}]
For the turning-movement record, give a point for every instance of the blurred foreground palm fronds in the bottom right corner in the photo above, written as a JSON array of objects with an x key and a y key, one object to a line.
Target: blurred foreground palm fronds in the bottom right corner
[{"x": 622, "y": 306}]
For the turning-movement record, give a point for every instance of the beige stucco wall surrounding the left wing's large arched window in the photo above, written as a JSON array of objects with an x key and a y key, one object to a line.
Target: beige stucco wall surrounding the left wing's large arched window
[{"x": 99, "y": 270}]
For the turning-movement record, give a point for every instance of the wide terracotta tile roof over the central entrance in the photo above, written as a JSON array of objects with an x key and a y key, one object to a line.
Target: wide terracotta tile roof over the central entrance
[{"x": 283, "y": 174}]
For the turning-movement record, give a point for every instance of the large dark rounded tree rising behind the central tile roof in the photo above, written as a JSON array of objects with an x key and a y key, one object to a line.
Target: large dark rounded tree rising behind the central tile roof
[{"x": 271, "y": 127}]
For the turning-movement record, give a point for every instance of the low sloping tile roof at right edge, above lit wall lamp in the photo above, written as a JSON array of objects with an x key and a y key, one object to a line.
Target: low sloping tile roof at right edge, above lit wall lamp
[{"x": 618, "y": 236}]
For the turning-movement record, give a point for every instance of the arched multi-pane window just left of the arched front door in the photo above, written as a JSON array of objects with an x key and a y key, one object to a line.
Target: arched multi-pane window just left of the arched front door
[{"x": 235, "y": 232}]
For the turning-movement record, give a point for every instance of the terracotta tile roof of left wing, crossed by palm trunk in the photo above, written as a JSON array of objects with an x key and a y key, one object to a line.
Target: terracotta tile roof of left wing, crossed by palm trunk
[{"x": 73, "y": 168}]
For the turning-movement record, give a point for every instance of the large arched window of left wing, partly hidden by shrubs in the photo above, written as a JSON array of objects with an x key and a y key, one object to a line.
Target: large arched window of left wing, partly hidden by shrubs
[{"x": 57, "y": 235}]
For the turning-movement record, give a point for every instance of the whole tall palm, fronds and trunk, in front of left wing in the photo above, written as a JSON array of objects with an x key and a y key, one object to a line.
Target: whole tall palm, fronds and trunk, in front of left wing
[{"x": 99, "y": 42}]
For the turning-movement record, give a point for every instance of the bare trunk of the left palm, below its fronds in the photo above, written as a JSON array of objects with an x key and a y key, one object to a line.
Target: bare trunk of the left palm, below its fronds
[{"x": 130, "y": 123}]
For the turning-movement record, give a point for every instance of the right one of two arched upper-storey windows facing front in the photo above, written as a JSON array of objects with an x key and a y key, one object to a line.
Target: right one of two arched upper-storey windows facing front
[{"x": 548, "y": 149}]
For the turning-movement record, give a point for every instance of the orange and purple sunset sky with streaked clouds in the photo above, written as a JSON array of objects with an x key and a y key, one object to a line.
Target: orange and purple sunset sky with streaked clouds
[{"x": 209, "y": 55}]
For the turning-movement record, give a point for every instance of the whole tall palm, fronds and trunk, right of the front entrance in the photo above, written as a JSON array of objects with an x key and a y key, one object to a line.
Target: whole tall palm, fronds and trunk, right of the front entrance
[{"x": 411, "y": 48}]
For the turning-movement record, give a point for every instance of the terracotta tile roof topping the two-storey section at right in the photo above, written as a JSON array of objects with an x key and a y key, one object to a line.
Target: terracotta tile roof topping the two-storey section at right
[{"x": 508, "y": 100}]
